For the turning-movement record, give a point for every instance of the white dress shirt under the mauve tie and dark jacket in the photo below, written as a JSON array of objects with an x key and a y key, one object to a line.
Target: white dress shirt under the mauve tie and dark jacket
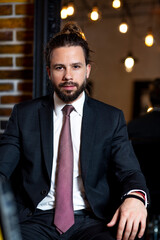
[{"x": 79, "y": 200}]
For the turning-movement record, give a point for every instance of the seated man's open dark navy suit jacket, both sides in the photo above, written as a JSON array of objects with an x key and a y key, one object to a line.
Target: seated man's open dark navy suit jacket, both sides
[{"x": 26, "y": 154}]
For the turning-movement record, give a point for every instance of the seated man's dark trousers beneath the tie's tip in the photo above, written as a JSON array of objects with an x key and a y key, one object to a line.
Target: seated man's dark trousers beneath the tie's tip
[{"x": 87, "y": 227}]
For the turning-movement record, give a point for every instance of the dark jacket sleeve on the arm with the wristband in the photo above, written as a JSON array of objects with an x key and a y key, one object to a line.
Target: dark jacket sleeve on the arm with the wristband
[{"x": 127, "y": 168}]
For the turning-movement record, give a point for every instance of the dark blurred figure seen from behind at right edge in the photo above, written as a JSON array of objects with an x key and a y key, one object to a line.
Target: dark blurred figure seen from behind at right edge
[{"x": 144, "y": 133}]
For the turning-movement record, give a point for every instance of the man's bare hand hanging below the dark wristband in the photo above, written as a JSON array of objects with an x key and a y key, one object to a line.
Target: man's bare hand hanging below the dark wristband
[{"x": 132, "y": 216}]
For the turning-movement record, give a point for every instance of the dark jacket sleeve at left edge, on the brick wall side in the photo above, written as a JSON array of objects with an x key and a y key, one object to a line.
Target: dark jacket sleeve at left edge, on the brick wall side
[{"x": 10, "y": 146}]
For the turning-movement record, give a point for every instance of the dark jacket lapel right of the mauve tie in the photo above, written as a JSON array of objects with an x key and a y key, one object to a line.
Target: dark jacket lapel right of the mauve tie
[{"x": 87, "y": 136}]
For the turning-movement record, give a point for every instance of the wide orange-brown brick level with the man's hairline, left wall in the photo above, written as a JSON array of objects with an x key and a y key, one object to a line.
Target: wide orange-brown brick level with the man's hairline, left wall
[{"x": 22, "y": 48}]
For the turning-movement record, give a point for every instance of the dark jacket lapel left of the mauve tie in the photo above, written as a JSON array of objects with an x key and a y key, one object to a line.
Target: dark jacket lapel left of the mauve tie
[{"x": 46, "y": 129}]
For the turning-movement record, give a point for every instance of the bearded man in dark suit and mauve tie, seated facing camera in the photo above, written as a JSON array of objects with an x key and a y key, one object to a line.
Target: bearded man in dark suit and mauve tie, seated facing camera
[{"x": 31, "y": 155}]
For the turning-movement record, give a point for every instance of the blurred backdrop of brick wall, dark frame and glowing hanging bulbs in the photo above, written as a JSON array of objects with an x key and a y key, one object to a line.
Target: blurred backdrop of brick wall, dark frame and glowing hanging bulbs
[{"x": 26, "y": 26}]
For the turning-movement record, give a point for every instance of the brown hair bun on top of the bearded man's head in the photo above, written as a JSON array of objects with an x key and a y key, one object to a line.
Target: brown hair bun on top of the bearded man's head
[{"x": 72, "y": 28}]
